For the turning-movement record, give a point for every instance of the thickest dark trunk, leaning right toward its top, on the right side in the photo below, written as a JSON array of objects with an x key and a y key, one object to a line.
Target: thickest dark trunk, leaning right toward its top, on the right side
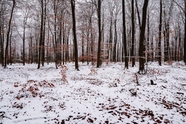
[{"x": 142, "y": 37}]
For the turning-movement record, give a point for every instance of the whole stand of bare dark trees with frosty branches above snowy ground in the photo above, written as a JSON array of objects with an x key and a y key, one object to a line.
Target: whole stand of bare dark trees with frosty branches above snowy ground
[{"x": 92, "y": 31}]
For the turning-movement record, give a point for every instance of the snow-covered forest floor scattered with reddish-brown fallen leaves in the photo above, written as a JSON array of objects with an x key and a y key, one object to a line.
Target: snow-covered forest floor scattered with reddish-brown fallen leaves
[{"x": 106, "y": 95}]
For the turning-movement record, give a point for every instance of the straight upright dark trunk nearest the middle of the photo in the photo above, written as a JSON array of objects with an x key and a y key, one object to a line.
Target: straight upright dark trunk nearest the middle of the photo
[{"x": 99, "y": 37}]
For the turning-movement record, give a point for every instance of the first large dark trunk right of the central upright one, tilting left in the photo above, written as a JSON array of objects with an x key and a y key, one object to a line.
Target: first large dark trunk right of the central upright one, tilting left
[{"x": 124, "y": 35}]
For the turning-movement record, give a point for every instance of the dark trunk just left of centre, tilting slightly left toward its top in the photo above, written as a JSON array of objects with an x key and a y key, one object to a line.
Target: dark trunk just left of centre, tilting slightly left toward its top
[{"x": 74, "y": 33}]
